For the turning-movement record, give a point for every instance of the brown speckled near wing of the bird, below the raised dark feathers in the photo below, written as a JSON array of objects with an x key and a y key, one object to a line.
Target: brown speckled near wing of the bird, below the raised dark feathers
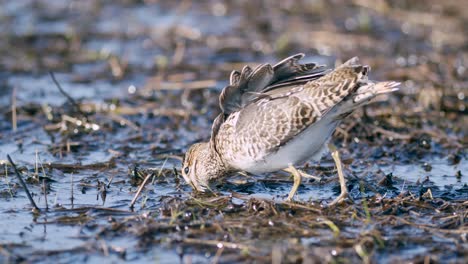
[{"x": 286, "y": 112}]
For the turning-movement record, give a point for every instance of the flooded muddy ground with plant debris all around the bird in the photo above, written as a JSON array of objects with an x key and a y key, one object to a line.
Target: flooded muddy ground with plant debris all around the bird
[{"x": 137, "y": 82}]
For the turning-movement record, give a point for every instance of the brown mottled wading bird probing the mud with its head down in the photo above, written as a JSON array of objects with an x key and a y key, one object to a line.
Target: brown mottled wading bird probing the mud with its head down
[{"x": 277, "y": 117}]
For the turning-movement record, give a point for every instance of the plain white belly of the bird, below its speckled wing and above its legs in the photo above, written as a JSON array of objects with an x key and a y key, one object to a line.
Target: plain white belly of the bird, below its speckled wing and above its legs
[{"x": 310, "y": 144}]
